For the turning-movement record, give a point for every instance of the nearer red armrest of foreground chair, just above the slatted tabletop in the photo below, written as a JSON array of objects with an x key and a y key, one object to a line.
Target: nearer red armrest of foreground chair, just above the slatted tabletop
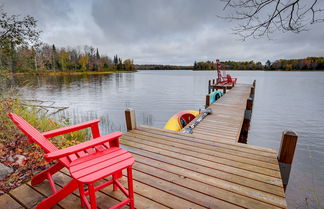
[{"x": 83, "y": 146}]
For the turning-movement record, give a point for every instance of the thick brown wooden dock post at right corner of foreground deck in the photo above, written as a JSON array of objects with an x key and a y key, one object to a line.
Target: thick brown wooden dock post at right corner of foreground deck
[{"x": 286, "y": 154}]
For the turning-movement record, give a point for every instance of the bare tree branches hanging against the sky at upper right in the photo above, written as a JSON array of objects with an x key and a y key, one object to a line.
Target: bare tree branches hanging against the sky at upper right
[{"x": 258, "y": 18}]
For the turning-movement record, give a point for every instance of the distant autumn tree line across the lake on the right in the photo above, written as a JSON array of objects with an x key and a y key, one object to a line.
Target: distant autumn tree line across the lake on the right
[{"x": 309, "y": 63}]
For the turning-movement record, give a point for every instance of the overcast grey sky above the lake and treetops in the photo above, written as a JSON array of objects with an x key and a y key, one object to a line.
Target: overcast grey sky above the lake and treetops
[{"x": 159, "y": 31}]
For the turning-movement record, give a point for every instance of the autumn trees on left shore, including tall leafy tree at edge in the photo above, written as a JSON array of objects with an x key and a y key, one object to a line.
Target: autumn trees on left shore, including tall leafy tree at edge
[{"x": 22, "y": 51}]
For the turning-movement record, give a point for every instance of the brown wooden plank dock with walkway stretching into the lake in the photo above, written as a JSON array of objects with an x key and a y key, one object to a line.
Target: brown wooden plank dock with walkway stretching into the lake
[{"x": 205, "y": 169}]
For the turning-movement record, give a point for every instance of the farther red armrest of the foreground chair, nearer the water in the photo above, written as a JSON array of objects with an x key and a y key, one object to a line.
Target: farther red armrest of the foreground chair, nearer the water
[{"x": 69, "y": 129}]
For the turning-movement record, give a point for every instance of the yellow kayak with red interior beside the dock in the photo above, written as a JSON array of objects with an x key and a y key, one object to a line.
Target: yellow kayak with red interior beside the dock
[{"x": 180, "y": 120}]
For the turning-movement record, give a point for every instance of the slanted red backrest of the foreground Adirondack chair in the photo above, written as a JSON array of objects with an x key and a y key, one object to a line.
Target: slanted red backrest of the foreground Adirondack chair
[{"x": 32, "y": 133}]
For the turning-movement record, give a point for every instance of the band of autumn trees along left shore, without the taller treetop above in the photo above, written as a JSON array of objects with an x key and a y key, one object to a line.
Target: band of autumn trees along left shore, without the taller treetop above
[{"x": 47, "y": 58}]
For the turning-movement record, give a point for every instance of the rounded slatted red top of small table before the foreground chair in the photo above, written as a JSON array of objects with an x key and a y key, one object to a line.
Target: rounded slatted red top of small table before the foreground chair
[{"x": 91, "y": 168}]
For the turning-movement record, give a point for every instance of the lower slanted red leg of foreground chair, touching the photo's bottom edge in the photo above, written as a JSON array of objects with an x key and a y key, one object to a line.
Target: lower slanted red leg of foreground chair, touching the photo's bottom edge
[{"x": 58, "y": 196}]
